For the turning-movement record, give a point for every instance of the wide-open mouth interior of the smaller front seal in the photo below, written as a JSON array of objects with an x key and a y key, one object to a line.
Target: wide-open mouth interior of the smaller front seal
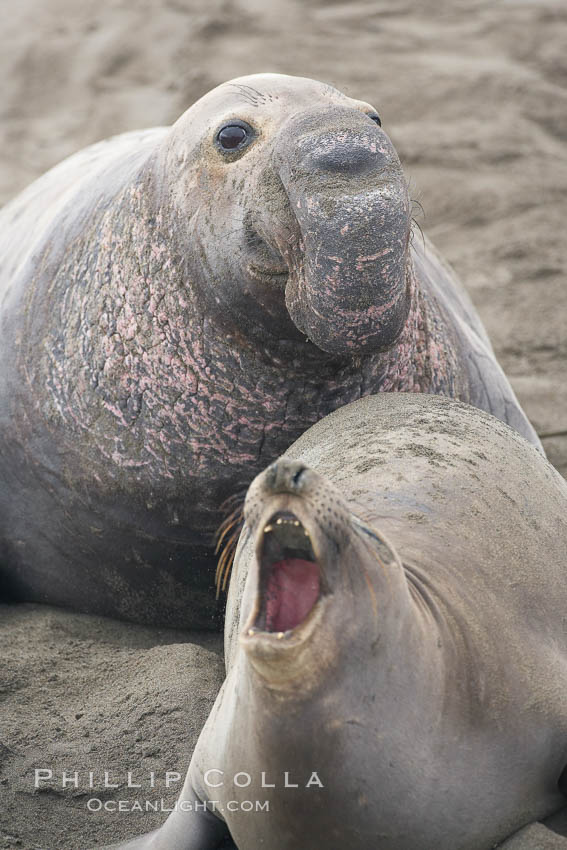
[{"x": 291, "y": 581}]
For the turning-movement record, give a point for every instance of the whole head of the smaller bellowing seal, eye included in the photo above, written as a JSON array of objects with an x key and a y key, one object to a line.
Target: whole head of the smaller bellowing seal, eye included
[{"x": 314, "y": 559}]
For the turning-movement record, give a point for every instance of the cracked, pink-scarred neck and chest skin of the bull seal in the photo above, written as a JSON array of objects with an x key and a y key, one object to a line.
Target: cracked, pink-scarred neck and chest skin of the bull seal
[{"x": 135, "y": 376}]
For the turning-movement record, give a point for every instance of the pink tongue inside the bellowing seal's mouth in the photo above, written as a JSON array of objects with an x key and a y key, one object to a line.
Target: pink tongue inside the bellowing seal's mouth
[{"x": 292, "y": 591}]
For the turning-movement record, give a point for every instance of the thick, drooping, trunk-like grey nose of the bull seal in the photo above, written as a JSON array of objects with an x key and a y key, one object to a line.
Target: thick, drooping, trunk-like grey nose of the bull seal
[{"x": 348, "y": 288}]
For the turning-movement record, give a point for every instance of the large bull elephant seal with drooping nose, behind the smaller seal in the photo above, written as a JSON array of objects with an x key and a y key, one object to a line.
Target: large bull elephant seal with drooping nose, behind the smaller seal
[{"x": 177, "y": 307}]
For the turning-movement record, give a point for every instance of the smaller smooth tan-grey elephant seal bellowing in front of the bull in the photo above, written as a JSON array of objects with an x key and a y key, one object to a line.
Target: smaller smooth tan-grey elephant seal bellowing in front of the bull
[{"x": 396, "y": 643}]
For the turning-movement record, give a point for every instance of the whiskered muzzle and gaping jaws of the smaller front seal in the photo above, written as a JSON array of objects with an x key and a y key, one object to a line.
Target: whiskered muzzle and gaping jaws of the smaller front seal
[{"x": 289, "y": 630}]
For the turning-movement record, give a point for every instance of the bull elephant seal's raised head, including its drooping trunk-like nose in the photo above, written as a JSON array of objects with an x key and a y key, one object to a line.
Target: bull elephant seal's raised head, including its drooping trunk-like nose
[{"x": 311, "y": 222}]
